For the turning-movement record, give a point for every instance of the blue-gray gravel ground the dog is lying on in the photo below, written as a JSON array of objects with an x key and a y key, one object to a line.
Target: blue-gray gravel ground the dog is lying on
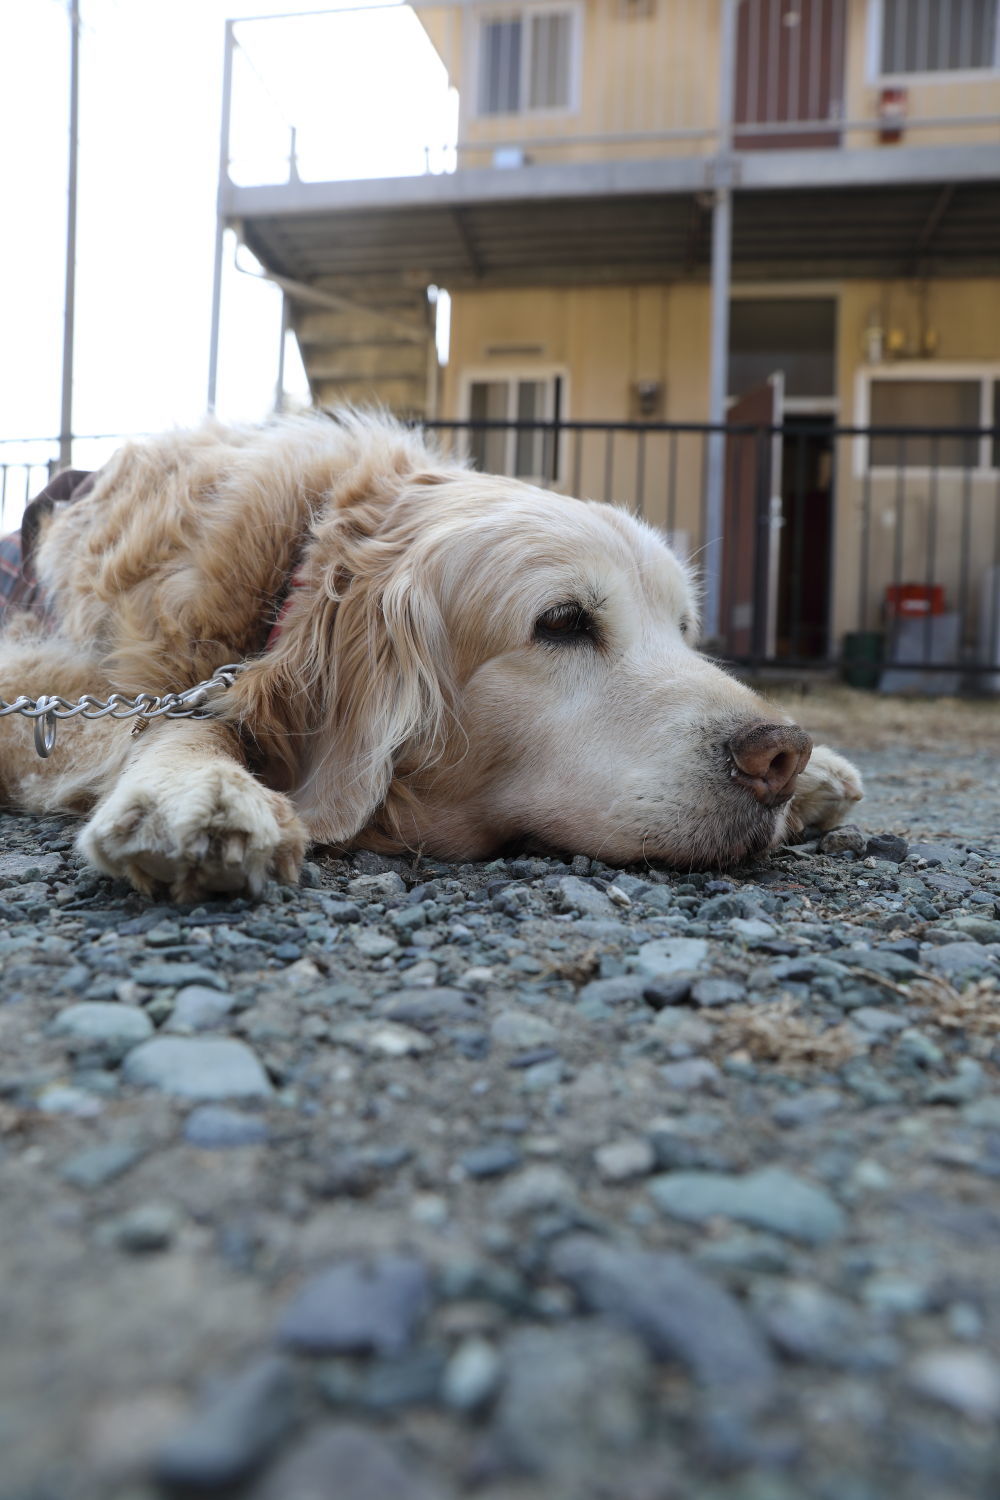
[{"x": 525, "y": 1180}]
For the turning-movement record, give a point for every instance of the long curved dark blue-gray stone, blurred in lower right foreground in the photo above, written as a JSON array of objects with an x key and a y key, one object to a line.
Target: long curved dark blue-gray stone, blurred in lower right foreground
[{"x": 677, "y": 1310}]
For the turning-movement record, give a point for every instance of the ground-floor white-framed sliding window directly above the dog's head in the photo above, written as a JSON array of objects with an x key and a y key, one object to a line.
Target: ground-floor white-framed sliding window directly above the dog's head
[{"x": 519, "y": 452}]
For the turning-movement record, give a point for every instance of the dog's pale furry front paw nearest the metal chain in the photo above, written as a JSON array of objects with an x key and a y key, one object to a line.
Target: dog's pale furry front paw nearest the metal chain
[{"x": 214, "y": 829}]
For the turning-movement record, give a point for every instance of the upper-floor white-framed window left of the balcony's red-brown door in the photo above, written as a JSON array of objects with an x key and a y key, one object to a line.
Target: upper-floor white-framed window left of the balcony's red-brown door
[{"x": 525, "y": 62}]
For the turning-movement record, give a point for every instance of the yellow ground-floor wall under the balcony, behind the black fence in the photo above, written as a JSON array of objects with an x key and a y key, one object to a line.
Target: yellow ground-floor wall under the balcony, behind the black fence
[{"x": 606, "y": 338}]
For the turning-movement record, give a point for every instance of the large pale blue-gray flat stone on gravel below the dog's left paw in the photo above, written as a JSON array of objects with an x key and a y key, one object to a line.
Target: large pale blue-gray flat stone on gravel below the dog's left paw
[{"x": 199, "y": 1069}]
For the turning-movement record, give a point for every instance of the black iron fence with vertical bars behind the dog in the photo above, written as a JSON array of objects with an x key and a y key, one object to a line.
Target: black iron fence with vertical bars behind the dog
[{"x": 875, "y": 551}]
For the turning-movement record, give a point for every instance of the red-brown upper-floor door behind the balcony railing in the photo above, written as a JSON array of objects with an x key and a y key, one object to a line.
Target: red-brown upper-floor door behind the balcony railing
[{"x": 789, "y": 68}]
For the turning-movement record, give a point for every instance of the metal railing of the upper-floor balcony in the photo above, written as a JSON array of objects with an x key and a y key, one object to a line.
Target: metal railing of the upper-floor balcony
[{"x": 389, "y": 89}]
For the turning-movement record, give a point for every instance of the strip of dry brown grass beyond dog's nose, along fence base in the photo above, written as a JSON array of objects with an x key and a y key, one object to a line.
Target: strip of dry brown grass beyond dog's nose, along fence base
[{"x": 857, "y": 721}]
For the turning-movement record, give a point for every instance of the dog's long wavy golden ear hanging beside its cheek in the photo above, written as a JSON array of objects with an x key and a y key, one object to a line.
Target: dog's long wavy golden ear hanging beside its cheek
[{"x": 358, "y": 680}]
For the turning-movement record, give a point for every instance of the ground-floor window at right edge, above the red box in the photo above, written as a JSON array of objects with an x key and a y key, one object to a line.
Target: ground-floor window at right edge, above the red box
[{"x": 963, "y": 398}]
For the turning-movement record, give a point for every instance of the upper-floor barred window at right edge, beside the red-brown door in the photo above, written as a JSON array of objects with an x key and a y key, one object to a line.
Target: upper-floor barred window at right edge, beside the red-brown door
[{"x": 936, "y": 37}]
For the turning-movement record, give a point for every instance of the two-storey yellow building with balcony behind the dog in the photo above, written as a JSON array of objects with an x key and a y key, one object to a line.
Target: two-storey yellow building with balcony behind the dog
[{"x": 657, "y": 215}]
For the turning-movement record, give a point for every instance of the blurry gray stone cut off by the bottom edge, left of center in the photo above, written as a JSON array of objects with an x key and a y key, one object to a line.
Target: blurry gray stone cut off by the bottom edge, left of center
[{"x": 350, "y": 1463}]
